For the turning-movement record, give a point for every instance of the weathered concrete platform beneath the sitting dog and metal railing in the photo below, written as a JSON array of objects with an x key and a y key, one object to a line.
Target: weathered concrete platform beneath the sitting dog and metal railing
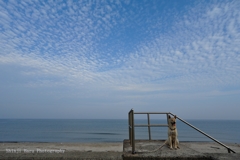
[{"x": 188, "y": 150}]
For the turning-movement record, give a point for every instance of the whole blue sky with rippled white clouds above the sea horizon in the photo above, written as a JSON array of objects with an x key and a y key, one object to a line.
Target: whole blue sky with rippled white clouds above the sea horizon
[{"x": 99, "y": 59}]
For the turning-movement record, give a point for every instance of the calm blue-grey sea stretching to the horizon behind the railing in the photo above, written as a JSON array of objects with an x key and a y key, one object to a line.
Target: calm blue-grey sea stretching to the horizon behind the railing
[{"x": 110, "y": 130}]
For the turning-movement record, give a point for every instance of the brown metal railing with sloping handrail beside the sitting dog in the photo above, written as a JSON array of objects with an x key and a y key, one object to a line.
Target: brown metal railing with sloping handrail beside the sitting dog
[{"x": 132, "y": 128}]
